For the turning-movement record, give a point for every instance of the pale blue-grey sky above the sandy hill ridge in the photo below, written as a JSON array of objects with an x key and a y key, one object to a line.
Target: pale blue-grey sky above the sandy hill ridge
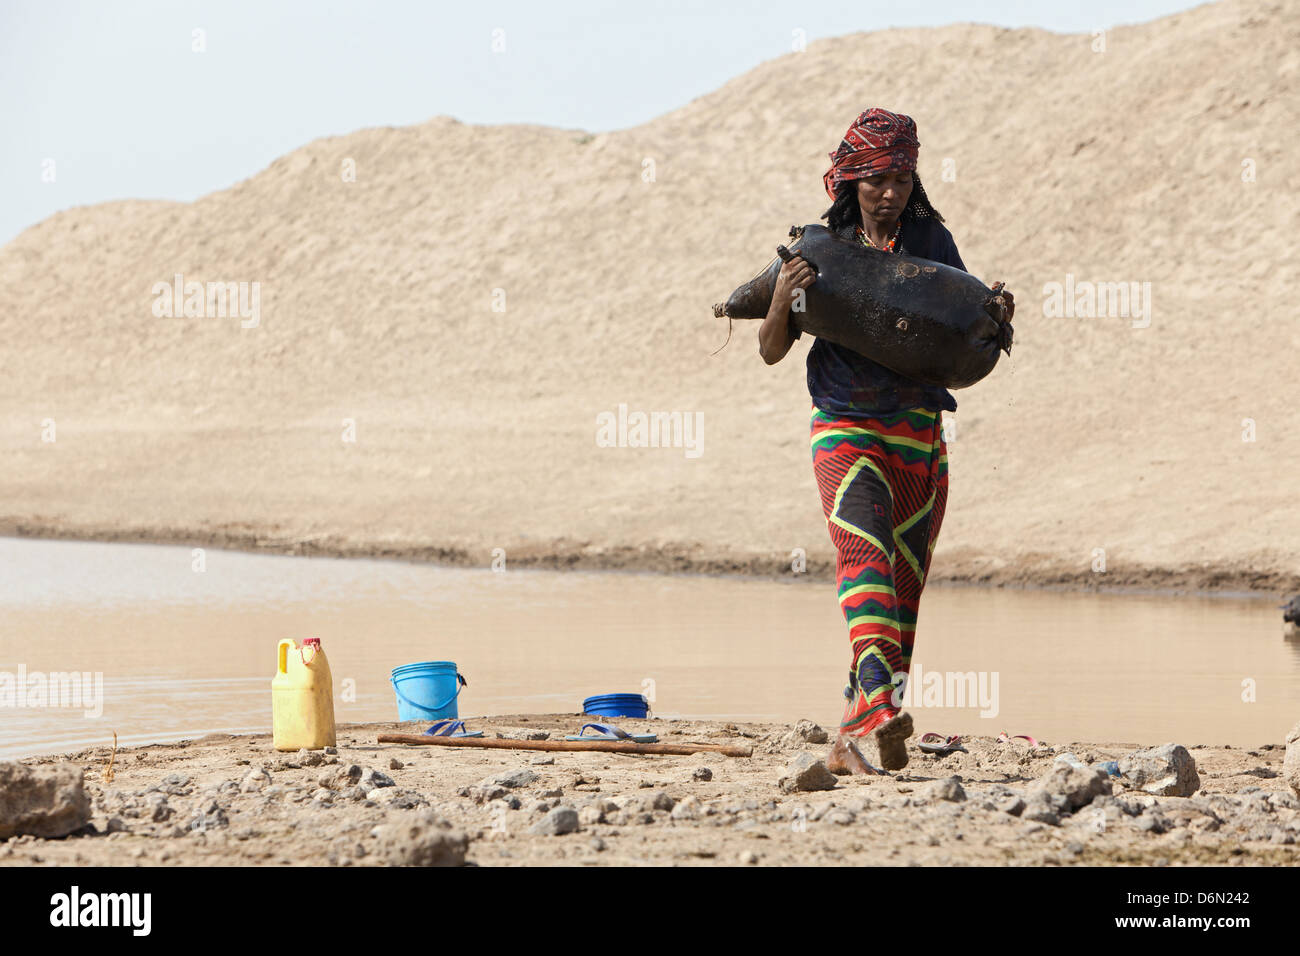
[{"x": 114, "y": 94}]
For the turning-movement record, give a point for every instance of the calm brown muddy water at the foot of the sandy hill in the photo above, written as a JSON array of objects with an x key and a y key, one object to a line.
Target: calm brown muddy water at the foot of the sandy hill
[{"x": 185, "y": 652}]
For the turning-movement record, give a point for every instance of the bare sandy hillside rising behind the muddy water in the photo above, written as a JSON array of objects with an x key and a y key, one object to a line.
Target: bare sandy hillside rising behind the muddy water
[{"x": 476, "y": 429}]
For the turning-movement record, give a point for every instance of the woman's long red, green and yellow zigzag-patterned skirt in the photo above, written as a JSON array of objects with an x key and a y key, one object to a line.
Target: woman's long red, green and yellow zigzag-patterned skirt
[{"x": 885, "y": 486}]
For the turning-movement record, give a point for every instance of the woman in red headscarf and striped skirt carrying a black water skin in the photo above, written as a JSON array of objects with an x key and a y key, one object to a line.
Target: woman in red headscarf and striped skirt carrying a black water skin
[{"x": 878, "y": 445}]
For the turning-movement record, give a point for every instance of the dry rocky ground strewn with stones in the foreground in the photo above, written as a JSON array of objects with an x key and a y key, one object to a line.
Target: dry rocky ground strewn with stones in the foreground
[{"x": 226, "y": 801}]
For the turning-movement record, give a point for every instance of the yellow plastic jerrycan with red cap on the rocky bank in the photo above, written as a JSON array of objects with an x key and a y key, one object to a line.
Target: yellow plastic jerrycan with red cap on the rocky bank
[{"x": 302, "y": 698}]
